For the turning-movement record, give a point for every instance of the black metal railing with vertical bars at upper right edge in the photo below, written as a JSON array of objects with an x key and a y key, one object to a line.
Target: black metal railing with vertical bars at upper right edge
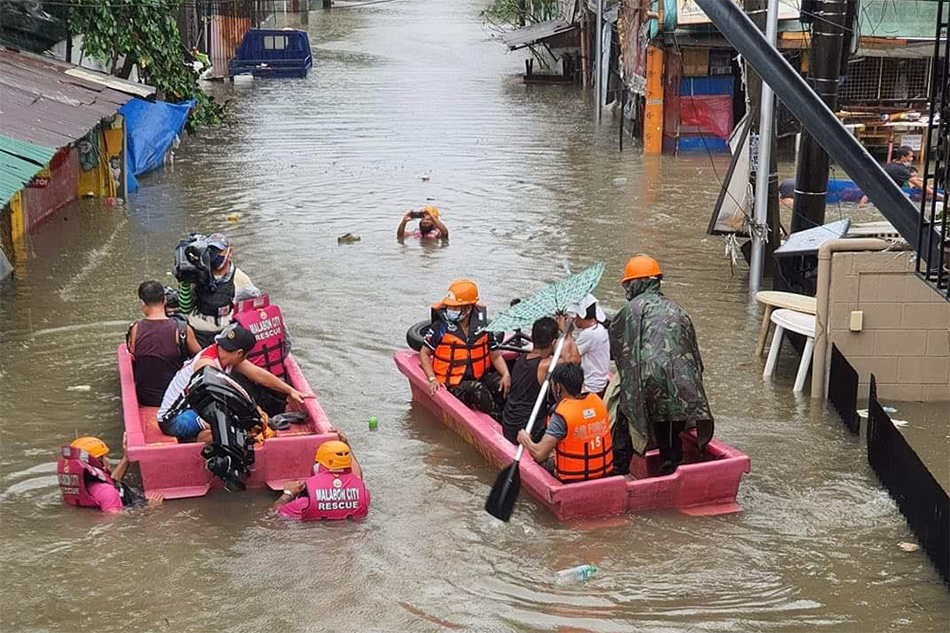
[{"x": 933, "y": 246}]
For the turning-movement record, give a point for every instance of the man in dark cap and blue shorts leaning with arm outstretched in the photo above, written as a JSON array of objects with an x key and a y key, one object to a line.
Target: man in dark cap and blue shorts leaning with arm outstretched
[{"x": 229, "y": 351}]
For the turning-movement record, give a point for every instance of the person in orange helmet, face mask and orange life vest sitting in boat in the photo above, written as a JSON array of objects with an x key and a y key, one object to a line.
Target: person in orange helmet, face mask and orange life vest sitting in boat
[{"x": 459, "y": 355}]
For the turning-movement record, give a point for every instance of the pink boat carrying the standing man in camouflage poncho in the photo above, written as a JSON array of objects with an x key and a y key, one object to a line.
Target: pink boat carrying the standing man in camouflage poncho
[{"x": 701, "y": 486}]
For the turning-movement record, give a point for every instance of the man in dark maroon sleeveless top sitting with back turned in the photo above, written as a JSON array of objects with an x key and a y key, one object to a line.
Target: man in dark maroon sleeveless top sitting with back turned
[{"x": 159, "y": 345}]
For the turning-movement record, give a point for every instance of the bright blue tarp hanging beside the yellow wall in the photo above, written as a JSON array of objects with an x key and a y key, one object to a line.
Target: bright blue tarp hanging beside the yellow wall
[{"x": 150, "y": 130}]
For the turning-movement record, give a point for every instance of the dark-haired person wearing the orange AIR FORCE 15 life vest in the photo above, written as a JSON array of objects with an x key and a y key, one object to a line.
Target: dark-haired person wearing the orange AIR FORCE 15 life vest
[{"x": 576, "y": 445}]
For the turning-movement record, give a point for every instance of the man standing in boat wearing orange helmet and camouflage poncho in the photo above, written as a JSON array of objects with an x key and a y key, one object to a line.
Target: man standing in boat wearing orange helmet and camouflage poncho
[{"x": 661, "y": 390}]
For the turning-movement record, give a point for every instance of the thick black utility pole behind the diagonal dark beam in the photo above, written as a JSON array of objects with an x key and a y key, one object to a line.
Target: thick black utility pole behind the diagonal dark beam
[{"x": 828, "y": 32}]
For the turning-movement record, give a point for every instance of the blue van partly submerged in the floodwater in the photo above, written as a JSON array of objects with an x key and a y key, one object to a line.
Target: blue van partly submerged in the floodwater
[{"x": 273, "y": 53}]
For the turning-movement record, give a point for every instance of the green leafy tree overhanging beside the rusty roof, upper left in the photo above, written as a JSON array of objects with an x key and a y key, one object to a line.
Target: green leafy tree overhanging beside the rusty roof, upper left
[{"x": 147, "y": 34}]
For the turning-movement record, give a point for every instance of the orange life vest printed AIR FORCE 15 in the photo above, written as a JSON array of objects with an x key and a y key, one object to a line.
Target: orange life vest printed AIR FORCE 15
[{"x": 586, "y": 452}]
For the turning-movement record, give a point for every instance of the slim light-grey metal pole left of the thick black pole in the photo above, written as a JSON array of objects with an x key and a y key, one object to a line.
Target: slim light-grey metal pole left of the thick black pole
[{"x": 766, "y": 178}]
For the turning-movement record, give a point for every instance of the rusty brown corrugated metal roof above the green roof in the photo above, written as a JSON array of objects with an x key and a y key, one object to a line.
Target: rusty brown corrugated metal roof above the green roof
[{"x": 44, "y": 104}]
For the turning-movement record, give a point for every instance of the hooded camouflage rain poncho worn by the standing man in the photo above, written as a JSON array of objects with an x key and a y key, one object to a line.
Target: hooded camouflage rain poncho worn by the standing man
[{"x": 661, "y": 372}]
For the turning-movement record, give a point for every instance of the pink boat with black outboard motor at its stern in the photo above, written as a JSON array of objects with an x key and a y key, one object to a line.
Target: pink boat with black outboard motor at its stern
[{"x": 178, "y": 470}]
